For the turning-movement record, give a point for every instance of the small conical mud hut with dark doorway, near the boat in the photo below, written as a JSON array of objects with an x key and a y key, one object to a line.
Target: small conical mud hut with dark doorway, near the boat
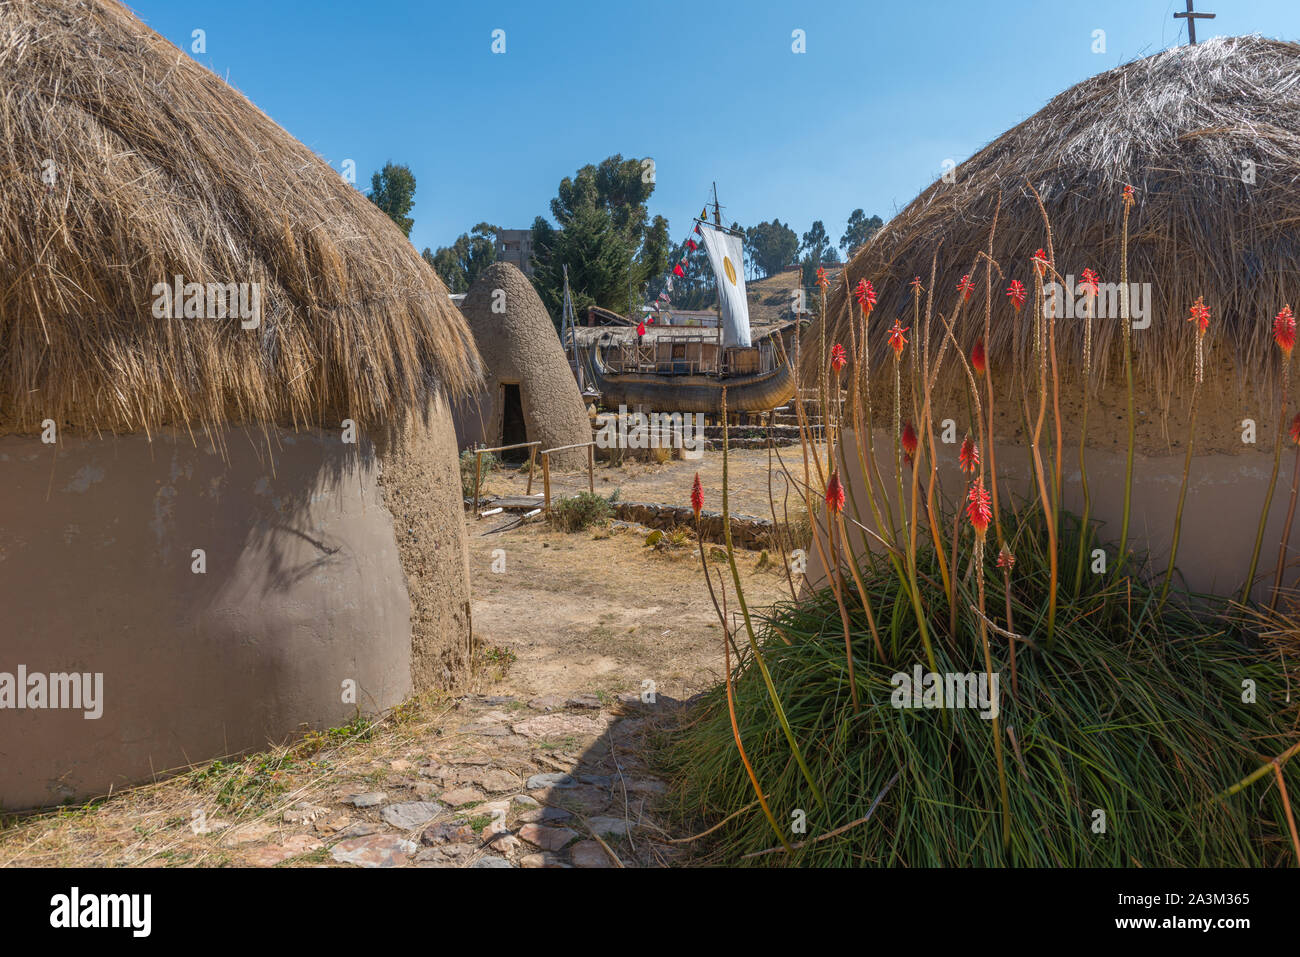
[{"x": 530, "y": 393}]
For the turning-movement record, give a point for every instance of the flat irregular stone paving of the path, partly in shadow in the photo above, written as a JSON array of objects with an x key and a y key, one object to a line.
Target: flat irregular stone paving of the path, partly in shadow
[{"x": 508, "y": 783}]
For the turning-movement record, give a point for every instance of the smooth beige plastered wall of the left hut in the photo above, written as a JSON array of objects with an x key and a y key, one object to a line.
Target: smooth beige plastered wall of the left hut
[{"x": 305, "y": 588}]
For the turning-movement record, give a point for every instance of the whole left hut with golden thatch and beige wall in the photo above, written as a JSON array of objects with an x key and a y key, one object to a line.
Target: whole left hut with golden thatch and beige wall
[{"x": 187, "y": 510}]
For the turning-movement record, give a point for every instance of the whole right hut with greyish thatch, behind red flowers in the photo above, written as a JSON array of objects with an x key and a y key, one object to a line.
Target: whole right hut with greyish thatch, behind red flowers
[{"x": 1210, "y": 138}]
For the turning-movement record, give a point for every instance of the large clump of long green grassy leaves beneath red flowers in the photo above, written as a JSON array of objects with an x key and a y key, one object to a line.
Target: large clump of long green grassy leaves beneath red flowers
[{"x": 1137, "y": 712}]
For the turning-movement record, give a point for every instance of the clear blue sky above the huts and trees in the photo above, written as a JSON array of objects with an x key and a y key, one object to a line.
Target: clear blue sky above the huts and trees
[{"x": 886, "y": 92}]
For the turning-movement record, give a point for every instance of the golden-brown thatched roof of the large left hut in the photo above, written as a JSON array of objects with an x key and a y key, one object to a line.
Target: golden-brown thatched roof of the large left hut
[{"x": 166, "y": 171}]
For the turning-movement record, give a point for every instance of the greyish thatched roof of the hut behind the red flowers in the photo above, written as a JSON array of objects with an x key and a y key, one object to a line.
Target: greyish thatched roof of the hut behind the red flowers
[{"x": 1181, "y": 128}]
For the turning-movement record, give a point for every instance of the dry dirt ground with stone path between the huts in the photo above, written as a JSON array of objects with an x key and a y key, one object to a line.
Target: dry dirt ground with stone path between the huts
[{"x": 541, "y": 764}]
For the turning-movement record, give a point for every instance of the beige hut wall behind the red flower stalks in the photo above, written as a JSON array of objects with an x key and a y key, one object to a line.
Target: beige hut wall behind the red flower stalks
[{"x": 1224, "y": 500}]
